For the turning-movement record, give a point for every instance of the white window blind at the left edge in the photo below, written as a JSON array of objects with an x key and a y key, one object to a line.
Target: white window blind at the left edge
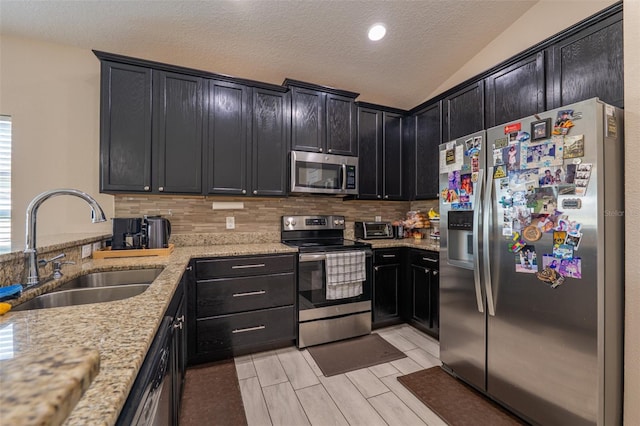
[{"x": 5, "y": 183}]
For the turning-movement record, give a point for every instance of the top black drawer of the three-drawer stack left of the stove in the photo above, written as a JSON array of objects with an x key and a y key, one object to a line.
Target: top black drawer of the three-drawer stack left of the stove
[{"x": 244, "y": 266}]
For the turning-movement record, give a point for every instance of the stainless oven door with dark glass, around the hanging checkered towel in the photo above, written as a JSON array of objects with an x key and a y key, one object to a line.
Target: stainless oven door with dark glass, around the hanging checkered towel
[{"x": 312, "y": 287}]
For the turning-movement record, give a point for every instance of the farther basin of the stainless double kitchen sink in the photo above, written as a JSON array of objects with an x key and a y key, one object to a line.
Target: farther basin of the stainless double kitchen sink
[{"x": 112, "y": 278}]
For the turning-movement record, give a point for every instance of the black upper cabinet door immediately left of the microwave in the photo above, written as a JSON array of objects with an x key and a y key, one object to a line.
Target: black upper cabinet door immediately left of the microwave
[{"x": 271, "y": 128}]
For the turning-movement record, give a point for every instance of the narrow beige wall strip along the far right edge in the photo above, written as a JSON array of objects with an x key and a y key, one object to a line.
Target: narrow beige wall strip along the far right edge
[{"x": 632, "y": 208}]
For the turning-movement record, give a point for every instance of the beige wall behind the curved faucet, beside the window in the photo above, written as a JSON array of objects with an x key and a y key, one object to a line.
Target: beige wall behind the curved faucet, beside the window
[{"x": 52, "y": 94}]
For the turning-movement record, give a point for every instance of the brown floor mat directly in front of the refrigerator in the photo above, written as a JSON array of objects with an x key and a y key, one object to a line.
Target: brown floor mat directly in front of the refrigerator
[{"x": 455, "y": 402}]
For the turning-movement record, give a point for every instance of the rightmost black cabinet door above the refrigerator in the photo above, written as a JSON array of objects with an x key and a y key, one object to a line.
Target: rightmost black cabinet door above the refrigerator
[{"x": 587, "y": 65}]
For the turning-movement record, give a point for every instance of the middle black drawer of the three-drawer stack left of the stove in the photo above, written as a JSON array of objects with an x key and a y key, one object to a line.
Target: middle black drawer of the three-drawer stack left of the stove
[{"x": 229, "y": 295}]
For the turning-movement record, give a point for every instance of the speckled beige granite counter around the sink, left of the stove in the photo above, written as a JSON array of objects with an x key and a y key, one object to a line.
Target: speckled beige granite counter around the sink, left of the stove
[{"x": 121, "y": 333}]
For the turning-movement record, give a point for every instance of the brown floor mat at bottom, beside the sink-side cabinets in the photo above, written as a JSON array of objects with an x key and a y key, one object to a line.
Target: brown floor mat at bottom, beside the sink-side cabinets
[{"x": 212, "y": 396}]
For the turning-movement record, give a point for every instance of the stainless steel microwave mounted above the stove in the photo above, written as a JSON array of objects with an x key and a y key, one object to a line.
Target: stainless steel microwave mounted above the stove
[{"x": 314, "y": 173}]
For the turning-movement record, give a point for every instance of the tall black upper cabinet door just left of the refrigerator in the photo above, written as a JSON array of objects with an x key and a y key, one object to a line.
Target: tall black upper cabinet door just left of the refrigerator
[{"x": 425, "y": 160}]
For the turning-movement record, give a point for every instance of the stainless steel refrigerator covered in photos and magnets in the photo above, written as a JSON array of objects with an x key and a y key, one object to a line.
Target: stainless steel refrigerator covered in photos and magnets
[{"x": 532, "y": 266}]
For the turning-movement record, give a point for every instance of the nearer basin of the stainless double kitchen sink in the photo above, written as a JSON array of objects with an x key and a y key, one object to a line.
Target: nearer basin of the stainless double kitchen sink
[{"x": 82, "y": 296}]
